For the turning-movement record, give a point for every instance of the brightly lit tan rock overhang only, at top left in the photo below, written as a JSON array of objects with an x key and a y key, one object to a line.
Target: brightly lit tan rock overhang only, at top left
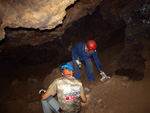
[{"x": 45, "y": 14}]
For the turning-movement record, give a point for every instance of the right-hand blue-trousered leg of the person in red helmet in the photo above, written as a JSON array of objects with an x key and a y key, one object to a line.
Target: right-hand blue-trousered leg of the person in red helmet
[{"x": 89, "y": 69}]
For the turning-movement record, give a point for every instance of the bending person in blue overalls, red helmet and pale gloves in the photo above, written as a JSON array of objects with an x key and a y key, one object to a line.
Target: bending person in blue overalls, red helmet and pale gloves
[{"x": 83, "y": 51}]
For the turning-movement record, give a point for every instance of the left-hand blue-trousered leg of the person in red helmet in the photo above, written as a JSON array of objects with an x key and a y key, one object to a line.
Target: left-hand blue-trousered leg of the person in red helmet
[{"x": 76, "y": 69}]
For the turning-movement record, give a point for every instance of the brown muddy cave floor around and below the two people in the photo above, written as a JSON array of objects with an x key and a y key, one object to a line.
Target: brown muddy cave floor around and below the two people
[{"x": 118, "y": 95}]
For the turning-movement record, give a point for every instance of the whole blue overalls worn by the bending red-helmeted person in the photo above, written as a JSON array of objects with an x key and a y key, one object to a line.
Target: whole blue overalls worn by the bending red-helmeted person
[{"x": 79, "y": 52}]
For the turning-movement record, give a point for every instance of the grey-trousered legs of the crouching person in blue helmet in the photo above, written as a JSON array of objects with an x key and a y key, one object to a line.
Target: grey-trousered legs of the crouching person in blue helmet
[{"x": 50, "y": 104}]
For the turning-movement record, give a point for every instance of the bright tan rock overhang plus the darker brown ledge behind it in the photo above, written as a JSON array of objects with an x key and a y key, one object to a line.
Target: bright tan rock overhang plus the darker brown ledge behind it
[{"x": 45, "y": 14}]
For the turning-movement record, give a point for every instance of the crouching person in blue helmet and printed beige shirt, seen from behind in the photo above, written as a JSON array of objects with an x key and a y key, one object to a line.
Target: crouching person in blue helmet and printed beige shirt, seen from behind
[{"x": 69, "y": 91}]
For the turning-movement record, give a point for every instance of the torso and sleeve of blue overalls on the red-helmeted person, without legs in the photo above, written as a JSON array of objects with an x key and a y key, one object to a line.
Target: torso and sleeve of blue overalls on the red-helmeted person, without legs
[{"x": 79, "y": 51}]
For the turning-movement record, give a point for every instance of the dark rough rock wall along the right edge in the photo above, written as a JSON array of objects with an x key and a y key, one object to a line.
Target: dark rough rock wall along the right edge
[{"x": 137, "y": 33}]
